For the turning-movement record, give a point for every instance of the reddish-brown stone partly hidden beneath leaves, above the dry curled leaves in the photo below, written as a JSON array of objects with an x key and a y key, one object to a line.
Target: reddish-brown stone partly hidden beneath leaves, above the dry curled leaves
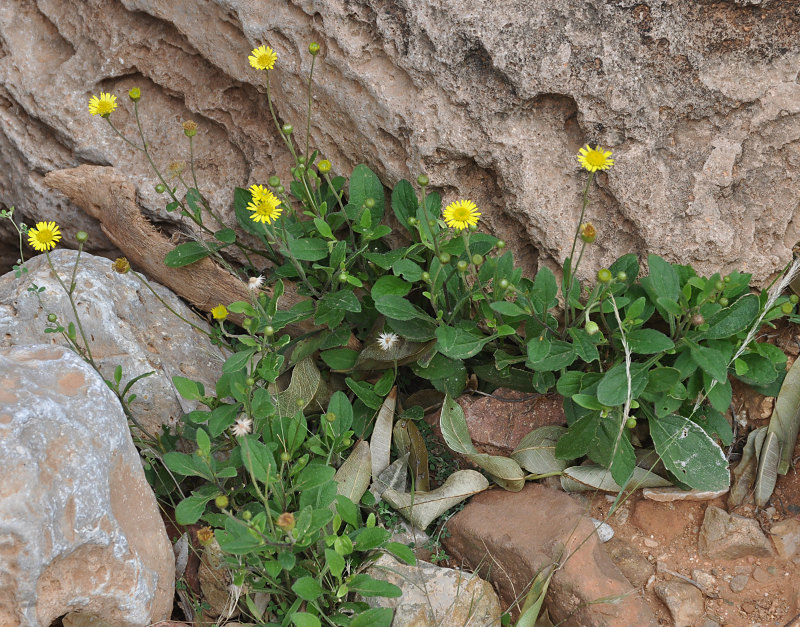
[{"x": 497, "y": 423}]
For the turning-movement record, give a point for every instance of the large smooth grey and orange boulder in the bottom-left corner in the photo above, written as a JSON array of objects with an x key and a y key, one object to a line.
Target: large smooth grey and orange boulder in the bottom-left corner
[{"x": 80, "y": 529}]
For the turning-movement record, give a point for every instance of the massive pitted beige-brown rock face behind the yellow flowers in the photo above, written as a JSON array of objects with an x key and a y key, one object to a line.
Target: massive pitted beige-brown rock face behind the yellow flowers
[{"x": 698, "y": 101}]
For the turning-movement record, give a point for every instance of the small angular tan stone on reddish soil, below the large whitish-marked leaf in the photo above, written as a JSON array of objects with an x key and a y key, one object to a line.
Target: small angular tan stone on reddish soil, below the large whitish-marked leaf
[{"x": 727, "y": 536}]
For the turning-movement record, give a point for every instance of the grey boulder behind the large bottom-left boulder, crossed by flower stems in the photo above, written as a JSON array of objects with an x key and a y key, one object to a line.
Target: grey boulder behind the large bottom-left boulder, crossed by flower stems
[{"x": 126, "y": 324}]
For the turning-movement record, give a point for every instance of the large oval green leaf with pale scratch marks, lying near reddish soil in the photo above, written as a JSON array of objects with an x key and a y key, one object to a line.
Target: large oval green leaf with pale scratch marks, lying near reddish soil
[{"x": 689, "y": 453}]
